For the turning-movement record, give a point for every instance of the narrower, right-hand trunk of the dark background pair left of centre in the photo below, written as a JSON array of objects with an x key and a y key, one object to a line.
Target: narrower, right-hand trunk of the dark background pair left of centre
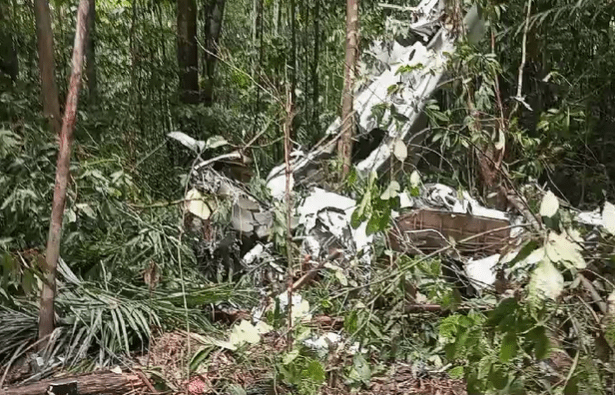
[{"x": 215, "y": 15}]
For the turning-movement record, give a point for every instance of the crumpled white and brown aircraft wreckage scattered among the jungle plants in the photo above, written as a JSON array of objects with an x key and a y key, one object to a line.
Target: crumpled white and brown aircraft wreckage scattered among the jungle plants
[{"x": 426, "y": 223}]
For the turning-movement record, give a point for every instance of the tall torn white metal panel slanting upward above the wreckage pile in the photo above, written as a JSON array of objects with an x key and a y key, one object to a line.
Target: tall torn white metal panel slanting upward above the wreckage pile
[{"x": 417, "y": 88}]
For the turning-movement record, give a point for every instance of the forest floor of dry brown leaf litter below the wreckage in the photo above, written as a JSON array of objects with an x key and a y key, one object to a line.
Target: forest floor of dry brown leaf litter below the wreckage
[{"x": 253, "y": 371}]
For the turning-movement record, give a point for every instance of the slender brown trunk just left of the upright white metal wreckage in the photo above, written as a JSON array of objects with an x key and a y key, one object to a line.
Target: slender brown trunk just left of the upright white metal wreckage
[{"x": 350, "y": 67}]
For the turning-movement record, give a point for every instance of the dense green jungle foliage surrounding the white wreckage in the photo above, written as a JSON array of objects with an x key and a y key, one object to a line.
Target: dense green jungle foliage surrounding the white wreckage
[{"x": 129, "y": 270}]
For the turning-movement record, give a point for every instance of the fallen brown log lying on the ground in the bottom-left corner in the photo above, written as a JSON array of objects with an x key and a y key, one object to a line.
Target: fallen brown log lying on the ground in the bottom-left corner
[{"x": 96, "y": 383}]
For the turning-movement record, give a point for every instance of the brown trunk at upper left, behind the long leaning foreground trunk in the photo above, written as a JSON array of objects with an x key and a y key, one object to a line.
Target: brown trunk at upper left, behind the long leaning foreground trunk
[{"x": 51, "y": 105}]
